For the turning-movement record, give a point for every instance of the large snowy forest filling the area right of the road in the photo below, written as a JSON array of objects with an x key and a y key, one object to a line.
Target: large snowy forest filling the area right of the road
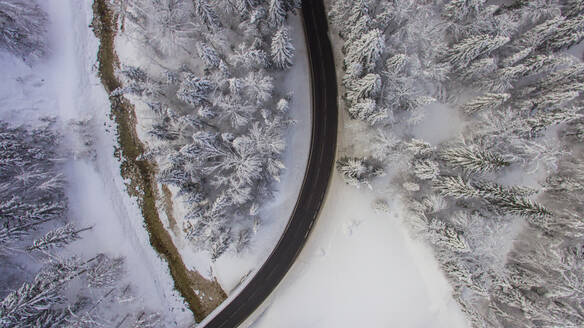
[{"x": 512, "y": 252}]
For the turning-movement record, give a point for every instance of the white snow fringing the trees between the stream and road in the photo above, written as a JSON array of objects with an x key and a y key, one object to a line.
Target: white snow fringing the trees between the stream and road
[{"x": 231, "y": 269}]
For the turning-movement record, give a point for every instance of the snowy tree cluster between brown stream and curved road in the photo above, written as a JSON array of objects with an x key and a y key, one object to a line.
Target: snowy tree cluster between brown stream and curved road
[{"x": 218, "y": 118}]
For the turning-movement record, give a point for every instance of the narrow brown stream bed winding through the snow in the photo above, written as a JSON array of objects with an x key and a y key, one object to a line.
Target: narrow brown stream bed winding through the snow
[{"x": 140, "y": 174}]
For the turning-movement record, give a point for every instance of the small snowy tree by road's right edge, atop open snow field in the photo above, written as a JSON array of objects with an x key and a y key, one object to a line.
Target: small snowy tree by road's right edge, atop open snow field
[{"x": 358, "y": 171}]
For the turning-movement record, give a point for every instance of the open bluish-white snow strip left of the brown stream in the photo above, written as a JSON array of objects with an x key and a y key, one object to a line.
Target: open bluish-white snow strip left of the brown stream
[{"x": 66, "y": 85}]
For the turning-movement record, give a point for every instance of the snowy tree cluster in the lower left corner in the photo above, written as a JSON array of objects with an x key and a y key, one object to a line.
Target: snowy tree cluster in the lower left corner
[{"x": 41, "y": 285}]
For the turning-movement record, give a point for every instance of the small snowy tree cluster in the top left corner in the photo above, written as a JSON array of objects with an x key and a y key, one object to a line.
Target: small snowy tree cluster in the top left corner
[{"x": 22, "y": 28}]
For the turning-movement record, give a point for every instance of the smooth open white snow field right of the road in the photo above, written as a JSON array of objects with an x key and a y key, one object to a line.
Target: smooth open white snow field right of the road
[{"x": 360, "y": 268}]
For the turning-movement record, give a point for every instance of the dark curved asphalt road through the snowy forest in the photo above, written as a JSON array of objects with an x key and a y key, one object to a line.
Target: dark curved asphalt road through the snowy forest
[{"x": 316, "y": 180}]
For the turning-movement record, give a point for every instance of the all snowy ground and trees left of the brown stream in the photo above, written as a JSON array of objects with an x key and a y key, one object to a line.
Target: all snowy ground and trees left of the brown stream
[{"x": 67, "y": 258}]
